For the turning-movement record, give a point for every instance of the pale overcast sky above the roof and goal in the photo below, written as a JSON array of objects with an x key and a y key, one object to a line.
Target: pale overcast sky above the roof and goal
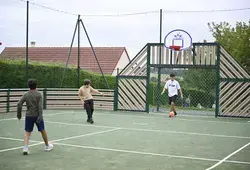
[{"x": 51, "y": 28}]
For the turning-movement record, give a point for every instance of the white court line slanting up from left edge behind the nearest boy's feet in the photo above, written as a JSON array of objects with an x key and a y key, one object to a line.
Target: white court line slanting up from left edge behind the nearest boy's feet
[{"x": 58, "y": 140}]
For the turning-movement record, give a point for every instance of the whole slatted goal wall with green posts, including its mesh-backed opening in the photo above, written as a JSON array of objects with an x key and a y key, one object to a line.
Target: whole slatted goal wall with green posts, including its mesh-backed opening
[{"x": 211, "y": 79}]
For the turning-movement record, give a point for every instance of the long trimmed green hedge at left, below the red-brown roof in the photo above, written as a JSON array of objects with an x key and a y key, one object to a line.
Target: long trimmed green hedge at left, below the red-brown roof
[{"x": 49, "y": 75}]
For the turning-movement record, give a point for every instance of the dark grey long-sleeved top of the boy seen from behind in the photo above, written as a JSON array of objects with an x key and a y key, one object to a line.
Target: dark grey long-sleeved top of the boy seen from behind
[{"x": 33, "y": 100}]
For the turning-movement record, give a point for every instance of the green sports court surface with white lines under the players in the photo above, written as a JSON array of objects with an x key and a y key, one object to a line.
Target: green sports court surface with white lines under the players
[{"x": 128, "y": 140}]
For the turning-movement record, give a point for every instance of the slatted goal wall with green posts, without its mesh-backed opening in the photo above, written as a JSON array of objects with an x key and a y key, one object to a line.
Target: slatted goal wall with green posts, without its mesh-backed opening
[{"x": 232, "y": 92}]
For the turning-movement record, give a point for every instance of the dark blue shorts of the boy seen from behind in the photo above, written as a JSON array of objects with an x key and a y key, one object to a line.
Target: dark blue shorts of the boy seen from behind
[{"x": 29, "y": 124}]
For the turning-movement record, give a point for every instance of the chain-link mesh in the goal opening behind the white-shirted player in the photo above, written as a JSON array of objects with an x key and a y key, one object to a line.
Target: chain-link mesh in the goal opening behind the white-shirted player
[{"x": 198, "y": 87}]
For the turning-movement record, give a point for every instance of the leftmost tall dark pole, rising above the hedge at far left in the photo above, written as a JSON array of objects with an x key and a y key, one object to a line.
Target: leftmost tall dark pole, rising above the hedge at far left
[{"x": 27, "y": 42}]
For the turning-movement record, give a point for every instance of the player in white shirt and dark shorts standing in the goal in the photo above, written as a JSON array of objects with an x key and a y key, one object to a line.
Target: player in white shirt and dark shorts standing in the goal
[{"x": 173, "y": 86}]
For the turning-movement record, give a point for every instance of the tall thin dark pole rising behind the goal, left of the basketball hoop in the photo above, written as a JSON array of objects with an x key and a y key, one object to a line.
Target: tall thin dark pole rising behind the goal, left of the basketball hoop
[{"x": 159, "y": 69}]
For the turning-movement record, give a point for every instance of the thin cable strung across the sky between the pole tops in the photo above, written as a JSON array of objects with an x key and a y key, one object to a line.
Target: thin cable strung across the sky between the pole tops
[{"x": 138, "y": 13}]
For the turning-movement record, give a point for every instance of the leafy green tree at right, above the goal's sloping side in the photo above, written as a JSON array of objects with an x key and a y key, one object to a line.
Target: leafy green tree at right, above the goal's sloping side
[{"x": 236, "y": 40}]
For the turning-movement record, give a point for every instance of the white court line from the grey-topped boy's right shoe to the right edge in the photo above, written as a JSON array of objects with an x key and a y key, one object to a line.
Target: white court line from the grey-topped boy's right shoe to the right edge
[{"x": 149, "y": 153}]
